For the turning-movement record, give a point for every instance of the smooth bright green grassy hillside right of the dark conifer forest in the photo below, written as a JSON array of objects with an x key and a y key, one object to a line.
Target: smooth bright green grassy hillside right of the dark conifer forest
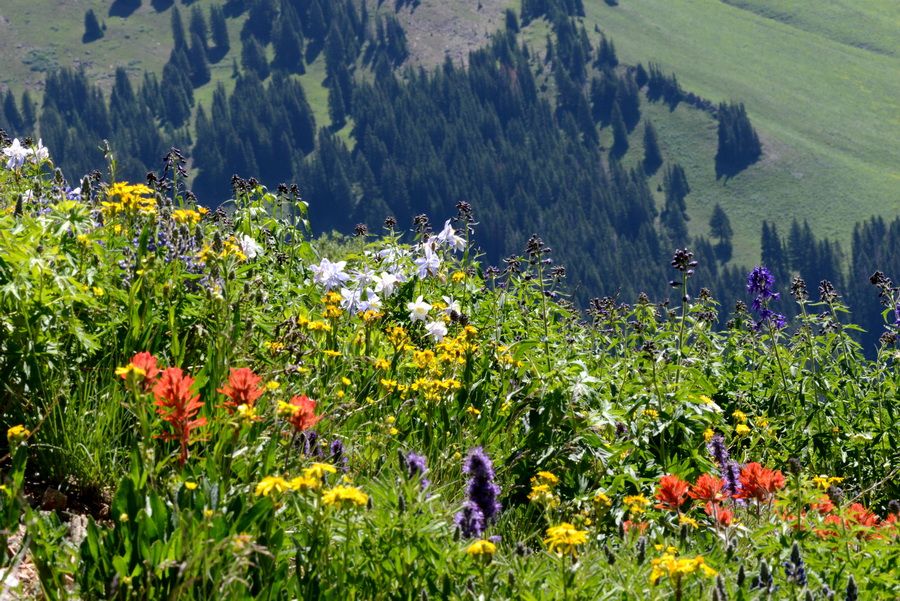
[{"x": 821, "y": 86}]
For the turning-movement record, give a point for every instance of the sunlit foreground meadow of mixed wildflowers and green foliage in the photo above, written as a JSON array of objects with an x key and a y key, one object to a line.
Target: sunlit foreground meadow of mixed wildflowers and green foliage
[{"x": 213, "y": 404}]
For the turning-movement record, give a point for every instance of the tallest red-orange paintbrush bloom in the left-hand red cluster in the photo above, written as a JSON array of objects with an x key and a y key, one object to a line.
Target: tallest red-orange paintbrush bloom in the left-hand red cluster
[{"x": 176, "y": 406}]
